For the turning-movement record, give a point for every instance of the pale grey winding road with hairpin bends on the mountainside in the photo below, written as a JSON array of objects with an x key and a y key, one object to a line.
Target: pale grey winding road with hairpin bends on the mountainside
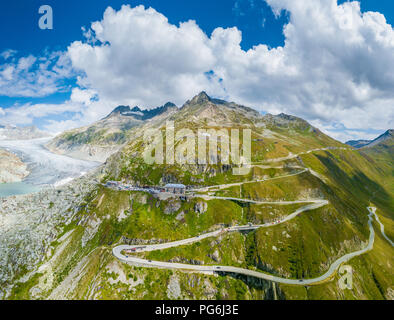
[{"x": 313, "y": 204}]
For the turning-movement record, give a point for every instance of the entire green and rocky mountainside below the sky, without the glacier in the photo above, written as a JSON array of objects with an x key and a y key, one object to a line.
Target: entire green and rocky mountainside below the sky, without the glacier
[{"x": 292, "y": 165}]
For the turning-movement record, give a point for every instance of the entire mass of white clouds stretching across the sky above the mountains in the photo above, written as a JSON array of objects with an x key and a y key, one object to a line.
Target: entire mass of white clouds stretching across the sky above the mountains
[{"x": 336, "y": 68}]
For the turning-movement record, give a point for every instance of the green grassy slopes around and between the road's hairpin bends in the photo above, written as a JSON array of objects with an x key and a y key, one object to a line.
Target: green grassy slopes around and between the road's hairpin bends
[{"x": 353, "y": 181}]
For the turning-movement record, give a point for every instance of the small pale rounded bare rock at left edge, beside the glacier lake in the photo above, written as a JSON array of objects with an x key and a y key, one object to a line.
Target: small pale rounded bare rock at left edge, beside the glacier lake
[{"x": 12, "y": 169}]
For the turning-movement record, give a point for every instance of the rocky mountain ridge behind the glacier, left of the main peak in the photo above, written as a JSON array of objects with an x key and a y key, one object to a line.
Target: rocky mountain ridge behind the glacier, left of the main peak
[{"x": 106, "y": 136}]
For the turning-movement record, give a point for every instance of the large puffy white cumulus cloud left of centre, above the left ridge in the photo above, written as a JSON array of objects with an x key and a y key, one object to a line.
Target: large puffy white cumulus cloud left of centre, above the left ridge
[{"x": 140, "y": 58}]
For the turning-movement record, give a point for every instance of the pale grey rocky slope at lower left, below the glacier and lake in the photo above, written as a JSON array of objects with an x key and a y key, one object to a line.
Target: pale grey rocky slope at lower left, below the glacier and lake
[{"x": 29, "y": 224}]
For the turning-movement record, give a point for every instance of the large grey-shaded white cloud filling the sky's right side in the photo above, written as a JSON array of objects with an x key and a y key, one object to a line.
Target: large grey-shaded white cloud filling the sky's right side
[{"x": 337, "y": 65}]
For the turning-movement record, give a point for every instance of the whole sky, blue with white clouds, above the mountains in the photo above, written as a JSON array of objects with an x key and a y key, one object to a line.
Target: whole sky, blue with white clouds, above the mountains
[{"x": 329, "y": 62}]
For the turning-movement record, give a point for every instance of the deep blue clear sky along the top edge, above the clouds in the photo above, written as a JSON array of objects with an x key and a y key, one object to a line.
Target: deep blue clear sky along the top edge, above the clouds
[{"x": 19, "y": 31}]
